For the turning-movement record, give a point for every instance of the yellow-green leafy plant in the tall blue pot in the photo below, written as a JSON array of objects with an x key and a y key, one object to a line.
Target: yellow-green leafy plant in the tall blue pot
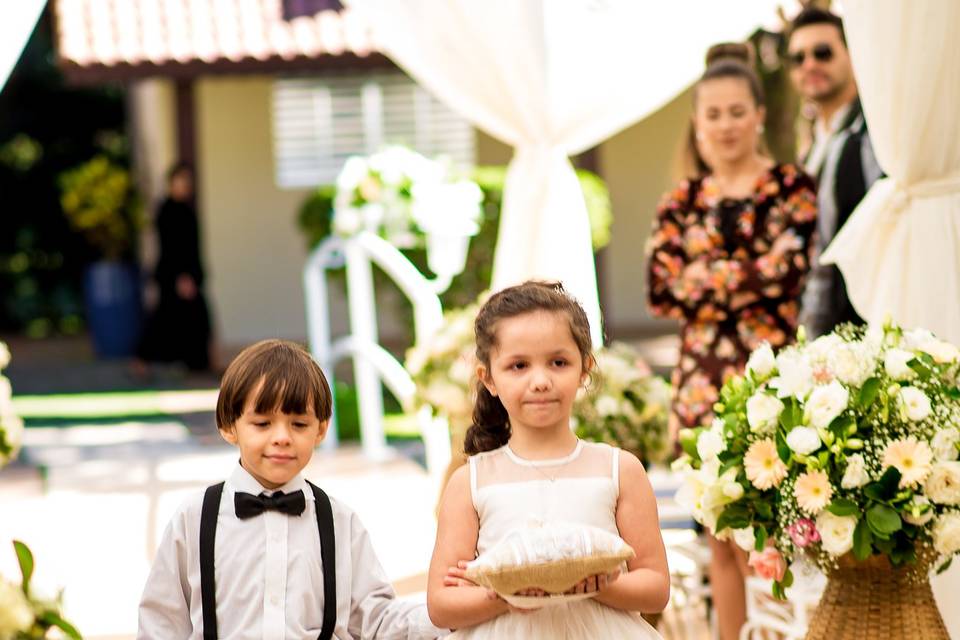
[{"x": 100, "y": 202}]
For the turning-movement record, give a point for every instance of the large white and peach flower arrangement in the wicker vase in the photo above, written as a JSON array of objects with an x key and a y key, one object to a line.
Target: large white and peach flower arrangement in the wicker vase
[{"x": 846, "y": 444}]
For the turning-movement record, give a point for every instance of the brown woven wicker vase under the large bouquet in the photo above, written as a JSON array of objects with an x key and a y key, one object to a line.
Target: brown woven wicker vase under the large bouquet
[{"x": 872, "y": 600}]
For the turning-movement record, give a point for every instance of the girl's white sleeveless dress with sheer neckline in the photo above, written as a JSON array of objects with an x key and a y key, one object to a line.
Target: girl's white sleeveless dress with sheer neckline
[{"x": 583, "y": 487}]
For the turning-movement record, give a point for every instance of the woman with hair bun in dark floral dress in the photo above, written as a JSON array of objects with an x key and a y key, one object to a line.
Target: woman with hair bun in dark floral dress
[{"x": 728, "y": 257}]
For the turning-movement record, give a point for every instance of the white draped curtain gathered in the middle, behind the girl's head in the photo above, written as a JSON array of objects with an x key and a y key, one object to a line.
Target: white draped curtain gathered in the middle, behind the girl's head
[{"x": 553, "y": 78}]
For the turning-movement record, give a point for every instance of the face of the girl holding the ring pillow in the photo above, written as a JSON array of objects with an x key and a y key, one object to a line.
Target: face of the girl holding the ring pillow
[{"x": 535, "y": 369}]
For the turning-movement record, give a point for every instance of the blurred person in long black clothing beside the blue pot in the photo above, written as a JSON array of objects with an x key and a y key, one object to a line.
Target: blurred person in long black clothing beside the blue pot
[{"x": 178, "y": 330}]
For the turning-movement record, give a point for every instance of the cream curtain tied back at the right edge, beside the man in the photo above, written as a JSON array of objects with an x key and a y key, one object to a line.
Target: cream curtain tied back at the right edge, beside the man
[{"x": 900, "y": 250}]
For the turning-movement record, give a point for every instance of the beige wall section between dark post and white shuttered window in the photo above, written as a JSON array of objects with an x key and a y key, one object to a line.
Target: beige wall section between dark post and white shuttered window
[{"x": 253, "y": 249}]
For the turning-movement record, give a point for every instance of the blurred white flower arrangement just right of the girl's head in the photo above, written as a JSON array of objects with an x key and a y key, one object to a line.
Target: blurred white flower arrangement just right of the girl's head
[{"x": 627, "y": 406}]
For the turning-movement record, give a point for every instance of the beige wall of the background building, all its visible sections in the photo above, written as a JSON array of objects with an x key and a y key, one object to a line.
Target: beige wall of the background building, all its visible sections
[{"x": 254, "y": 252}]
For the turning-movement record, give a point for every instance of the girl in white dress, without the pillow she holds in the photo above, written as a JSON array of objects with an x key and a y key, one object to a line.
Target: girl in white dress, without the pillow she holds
[{"x": 533, "y": 350}]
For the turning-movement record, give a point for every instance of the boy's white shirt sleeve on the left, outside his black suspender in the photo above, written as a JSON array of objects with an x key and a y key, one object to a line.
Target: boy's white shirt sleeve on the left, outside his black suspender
[{"x": 165, "y": 605}]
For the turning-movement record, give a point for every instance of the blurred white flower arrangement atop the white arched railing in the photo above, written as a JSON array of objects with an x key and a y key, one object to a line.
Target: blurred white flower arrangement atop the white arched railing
[{"x": 401, "y": 196}]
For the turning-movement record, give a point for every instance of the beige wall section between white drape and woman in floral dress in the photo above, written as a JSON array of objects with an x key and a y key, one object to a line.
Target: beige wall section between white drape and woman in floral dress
[{"x": 638, "y": 165}]
